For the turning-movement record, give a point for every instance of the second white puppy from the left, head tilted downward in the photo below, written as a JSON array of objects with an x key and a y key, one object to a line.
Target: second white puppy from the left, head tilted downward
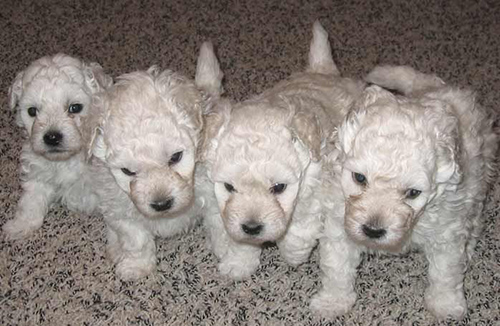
[{"x": 146, "y": 149}]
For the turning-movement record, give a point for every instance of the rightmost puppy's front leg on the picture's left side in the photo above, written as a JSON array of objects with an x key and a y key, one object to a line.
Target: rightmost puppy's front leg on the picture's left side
[{"x": 338, "y": 262}]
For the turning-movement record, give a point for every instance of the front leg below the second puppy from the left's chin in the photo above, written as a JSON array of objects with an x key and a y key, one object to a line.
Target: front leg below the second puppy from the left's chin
[{"x": 132, "y": 248}]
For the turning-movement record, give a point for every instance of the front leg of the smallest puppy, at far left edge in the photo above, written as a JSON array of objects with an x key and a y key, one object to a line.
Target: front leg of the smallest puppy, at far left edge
[{"x": 31, "y": 209}]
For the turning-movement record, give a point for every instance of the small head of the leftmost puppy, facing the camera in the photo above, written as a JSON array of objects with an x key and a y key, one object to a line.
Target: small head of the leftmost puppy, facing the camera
[{"x": 52, "y": 98}]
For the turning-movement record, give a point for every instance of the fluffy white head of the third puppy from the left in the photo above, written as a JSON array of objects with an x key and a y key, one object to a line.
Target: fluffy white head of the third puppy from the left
[{"x": 258, "y": 154}]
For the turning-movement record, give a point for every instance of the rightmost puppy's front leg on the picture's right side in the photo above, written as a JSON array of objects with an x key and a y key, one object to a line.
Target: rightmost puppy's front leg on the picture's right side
[{"x": 447, "y": 263}]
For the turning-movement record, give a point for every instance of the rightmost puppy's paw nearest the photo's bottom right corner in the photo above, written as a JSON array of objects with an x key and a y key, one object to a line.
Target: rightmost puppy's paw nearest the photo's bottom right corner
[{"x": 446, "y": 303}]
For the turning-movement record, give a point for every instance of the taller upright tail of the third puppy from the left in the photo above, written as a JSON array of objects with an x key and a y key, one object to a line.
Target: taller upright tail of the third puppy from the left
[{"x": 320, "y": 53}]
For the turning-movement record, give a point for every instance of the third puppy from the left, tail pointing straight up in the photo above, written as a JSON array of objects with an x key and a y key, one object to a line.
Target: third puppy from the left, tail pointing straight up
[{"x": 264, "y": 158}]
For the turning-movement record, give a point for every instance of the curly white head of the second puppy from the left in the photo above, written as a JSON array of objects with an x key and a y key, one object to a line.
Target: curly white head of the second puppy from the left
[{"x": 148, "y": 139}]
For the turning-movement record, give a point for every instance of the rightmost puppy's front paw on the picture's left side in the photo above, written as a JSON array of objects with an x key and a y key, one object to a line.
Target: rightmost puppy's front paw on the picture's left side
[{"x": 330, "y": 305}]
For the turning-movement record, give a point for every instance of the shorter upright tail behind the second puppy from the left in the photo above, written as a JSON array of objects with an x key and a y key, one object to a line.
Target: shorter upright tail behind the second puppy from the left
[{"x": 208, "y": 73}]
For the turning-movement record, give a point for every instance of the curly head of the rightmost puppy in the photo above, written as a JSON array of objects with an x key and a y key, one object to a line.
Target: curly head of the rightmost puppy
[{"x": 397, "y": 156}]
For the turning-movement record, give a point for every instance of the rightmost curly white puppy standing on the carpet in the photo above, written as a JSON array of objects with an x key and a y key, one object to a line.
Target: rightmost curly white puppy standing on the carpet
[{"x": 410, "y": 171}]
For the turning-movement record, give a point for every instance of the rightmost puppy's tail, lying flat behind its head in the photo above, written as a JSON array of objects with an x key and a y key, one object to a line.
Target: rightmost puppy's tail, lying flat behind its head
[{"x": 404, "y": 79}]
